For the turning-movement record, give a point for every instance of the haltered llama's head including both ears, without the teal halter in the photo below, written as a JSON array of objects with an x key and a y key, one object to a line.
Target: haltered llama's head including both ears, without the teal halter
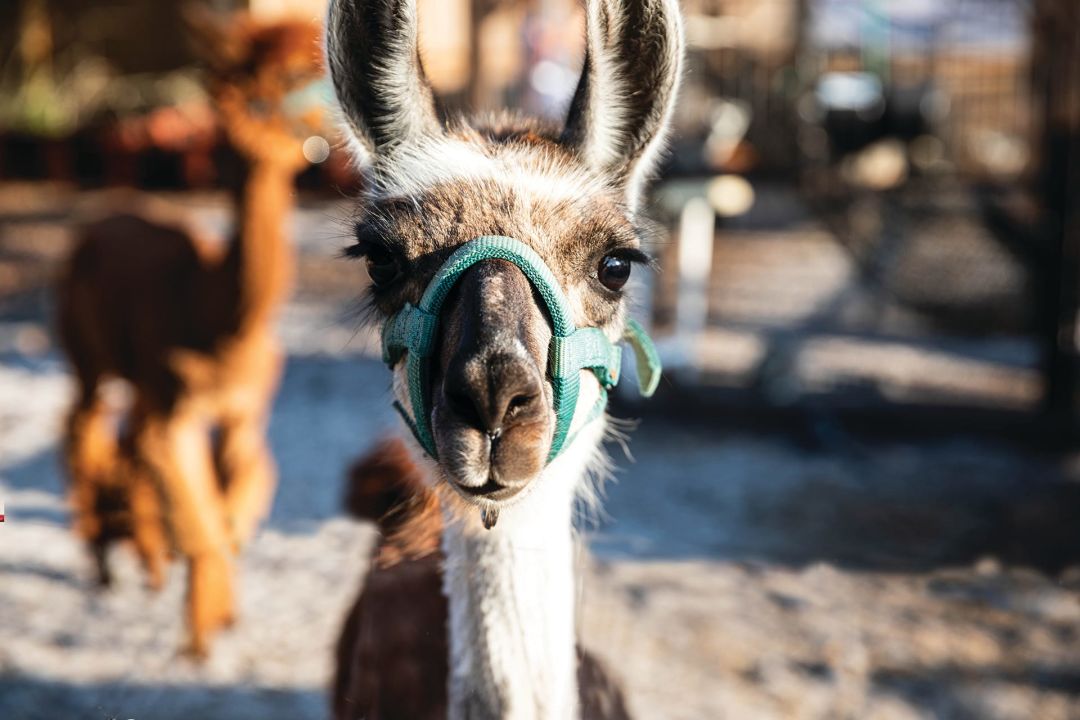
[{"x": 570, "y": 194}]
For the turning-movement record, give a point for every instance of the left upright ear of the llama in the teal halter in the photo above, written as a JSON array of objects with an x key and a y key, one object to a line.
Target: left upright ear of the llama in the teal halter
[{"x": 374, "y": 61}]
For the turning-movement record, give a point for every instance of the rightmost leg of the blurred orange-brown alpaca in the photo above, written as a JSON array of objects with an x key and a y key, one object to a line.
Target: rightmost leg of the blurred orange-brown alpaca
[{"x": 249, "y": 472}]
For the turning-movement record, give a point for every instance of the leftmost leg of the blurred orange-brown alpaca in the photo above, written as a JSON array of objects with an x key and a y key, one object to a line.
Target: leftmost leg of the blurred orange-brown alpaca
[{"x": 91, "y": 455}]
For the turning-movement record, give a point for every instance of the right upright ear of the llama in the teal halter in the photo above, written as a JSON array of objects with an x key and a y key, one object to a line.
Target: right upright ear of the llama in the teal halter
[{"x": 624, "y": 104}]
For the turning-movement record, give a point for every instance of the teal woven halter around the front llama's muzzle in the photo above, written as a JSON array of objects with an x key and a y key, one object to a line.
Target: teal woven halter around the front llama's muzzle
[{"x": 413, "y": 331}]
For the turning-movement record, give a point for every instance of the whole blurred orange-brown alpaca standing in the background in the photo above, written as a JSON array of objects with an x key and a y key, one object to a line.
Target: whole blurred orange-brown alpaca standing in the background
[{"x": 192, "y": 331}]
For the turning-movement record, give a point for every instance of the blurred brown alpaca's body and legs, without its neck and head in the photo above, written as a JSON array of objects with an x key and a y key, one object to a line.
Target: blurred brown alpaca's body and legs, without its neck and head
[{"x": 148, "y": 304}]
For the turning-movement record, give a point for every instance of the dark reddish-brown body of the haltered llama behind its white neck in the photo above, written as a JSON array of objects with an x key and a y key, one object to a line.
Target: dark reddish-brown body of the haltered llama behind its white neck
[{"x": 393, "y": 654}]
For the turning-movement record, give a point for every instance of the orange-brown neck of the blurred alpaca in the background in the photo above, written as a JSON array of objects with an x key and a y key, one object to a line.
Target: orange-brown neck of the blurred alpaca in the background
[{"x": 262, "y": 261}]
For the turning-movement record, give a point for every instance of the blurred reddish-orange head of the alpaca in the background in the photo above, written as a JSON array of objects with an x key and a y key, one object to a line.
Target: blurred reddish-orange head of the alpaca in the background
[{"x": 266, "y": 80}]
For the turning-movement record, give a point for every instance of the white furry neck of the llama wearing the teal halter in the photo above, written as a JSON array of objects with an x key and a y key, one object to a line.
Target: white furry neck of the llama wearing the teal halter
[{"x": 511, "y": 594}]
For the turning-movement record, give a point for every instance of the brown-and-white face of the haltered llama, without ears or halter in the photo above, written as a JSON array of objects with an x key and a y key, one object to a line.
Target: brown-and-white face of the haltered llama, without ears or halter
[{"x": 492, "y": 403}]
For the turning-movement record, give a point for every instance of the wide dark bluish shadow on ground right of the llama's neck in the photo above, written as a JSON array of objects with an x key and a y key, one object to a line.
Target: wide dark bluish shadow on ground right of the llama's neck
[{"x": 884, "y": 507}]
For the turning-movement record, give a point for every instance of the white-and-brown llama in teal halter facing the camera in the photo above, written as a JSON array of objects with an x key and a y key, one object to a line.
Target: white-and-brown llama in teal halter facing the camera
[{"x": 498, "y": 251}]
